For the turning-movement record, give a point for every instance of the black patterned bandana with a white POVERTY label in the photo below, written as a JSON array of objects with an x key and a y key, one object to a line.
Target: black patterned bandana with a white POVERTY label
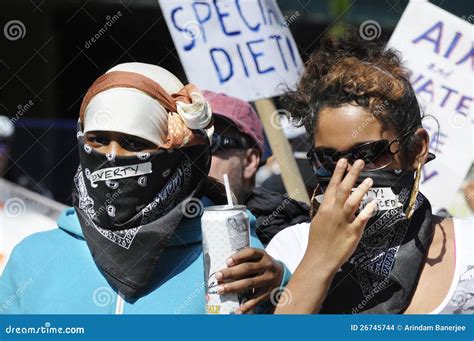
[{"x": 129, "y": 207}]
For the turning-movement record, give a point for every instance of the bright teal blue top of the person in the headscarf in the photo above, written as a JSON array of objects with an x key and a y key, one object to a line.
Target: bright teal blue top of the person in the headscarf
[{"x": 54, "y": 272}]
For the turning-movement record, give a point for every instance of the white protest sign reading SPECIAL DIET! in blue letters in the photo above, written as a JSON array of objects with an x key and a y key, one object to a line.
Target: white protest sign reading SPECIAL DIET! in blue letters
[{"x": 242, "y": 48}]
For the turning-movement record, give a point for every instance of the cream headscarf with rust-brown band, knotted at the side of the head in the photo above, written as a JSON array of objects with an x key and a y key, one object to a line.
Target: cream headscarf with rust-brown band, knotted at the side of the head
[{"x": 147, "y": 101}]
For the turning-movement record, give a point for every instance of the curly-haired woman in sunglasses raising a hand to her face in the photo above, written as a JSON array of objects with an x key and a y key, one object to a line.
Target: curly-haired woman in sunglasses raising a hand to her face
[{"x": 373, "y": 244}]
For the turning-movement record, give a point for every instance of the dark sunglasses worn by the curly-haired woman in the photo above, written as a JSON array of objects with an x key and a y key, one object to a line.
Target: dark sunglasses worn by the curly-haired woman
[{"x": 376, "y": 155}]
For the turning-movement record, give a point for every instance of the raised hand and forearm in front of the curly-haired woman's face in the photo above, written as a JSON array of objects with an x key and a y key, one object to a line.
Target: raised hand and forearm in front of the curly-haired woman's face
[{"x": 334, "y": 234}]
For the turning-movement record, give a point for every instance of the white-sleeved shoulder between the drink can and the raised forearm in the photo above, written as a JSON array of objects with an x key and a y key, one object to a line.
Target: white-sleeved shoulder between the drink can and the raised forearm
[{"x": 289, "y": 245}]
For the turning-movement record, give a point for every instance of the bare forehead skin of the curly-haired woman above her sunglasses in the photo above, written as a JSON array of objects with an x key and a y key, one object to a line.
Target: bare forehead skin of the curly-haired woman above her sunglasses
[{"x": 343, "y": 127}]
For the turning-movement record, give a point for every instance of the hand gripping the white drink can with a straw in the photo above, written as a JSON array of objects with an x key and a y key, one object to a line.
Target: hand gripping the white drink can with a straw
[{"x": 250, "y": 269}]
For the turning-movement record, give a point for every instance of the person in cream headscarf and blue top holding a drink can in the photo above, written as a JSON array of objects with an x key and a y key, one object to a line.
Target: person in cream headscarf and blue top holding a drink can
[{"x": 132, "y": 242}]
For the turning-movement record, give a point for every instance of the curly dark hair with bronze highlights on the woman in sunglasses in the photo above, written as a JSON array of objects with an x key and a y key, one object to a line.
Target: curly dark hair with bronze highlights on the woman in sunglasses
[{"x": 350, "y": 70}]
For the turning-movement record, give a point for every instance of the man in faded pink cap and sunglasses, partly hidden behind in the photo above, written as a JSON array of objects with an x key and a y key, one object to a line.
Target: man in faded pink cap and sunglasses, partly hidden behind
[{"x": 237, "y": 149}]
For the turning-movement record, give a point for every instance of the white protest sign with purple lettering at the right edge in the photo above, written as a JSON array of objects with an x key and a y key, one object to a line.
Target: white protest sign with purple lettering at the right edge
[{"x": 437, "y": 48}]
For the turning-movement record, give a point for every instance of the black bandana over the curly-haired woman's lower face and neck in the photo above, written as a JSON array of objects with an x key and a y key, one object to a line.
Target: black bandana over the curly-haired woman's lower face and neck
[{"x": 382, "y": 274}]
